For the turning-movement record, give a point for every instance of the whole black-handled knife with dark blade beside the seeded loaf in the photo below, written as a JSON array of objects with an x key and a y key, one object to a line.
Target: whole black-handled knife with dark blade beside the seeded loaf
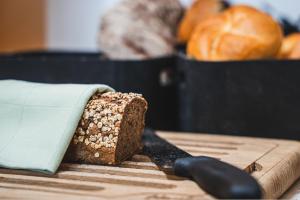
[{"x": 217, "y": 178}]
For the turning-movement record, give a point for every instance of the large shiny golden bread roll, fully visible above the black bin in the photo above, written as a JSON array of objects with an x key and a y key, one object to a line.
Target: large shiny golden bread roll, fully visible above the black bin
[{"x": 239, "y": 33}]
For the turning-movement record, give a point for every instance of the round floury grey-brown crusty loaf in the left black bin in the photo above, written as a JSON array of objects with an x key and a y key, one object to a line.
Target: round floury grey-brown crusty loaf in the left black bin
[{"x": 140, "y": 29}]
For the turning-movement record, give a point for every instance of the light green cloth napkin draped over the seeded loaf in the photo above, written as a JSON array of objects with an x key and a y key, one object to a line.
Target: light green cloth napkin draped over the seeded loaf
[{"x": 37, "y": 122}]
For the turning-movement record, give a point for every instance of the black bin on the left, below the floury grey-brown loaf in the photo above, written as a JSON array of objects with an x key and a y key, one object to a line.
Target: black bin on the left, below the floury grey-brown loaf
[{"x": 125, "y": 76}]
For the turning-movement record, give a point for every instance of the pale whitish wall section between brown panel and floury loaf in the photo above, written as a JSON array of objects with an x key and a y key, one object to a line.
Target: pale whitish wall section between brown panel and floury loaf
[{"x": 73, "y": 24}]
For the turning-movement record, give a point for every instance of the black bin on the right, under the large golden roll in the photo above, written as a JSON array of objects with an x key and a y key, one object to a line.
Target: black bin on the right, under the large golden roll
[{"x": 254, "y": 98}]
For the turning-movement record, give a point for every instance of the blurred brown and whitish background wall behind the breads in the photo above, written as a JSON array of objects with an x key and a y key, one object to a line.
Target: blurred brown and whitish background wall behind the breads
[{"x": 73, "y": 24}]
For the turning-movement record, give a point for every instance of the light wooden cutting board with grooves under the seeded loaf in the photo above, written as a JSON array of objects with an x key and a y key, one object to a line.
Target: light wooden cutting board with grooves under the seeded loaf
[{"x": 275, "y": 164}]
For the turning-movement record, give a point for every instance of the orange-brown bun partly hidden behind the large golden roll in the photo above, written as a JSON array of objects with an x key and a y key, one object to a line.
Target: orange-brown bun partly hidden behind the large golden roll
[{"x": 200, "y": 10}]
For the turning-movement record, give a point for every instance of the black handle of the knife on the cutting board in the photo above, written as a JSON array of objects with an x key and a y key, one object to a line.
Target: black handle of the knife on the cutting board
[{"x": 217, "y": 178}]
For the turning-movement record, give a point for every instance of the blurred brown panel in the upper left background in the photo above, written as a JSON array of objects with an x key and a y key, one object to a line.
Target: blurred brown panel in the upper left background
[{"x": 22, "y": 25}]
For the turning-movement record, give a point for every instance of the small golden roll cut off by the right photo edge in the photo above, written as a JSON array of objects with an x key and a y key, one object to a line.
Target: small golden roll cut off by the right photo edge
[{"x": 290, "y": 48}]
